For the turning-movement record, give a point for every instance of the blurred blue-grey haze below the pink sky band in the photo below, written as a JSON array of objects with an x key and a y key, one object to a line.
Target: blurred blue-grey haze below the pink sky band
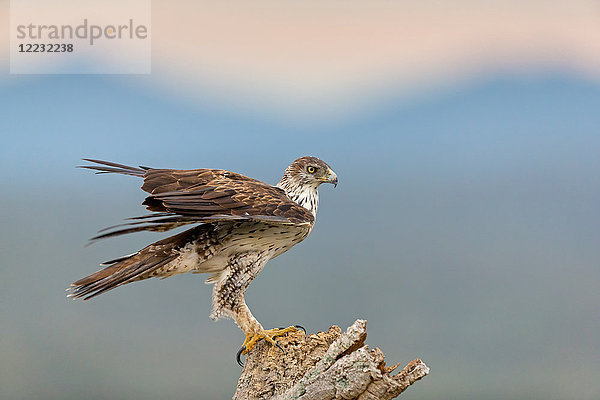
[{"x": 465, "y": 228}]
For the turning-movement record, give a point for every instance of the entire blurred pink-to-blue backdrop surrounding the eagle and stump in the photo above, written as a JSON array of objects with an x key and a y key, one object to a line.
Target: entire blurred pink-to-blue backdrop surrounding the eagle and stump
[{"x": 465, "y": 227}]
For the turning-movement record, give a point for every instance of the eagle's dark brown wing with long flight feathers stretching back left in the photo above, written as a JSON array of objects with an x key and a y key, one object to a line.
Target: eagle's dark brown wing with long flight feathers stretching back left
[{"x": 182, "y": 197}]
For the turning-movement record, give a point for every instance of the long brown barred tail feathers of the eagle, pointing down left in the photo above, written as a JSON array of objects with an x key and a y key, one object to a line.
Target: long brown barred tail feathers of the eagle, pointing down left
[{"x": 142, "y": 265}]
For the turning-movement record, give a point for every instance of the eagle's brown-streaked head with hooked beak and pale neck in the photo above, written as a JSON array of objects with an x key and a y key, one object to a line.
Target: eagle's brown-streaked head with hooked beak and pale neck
[{"x": 302, "y": 178}]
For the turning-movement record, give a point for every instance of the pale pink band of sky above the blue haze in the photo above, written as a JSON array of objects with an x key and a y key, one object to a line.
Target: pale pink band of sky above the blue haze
[{"x": 311, "y": 55}]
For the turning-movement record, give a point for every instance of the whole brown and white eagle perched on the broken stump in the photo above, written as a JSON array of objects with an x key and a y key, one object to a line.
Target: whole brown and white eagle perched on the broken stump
[{"x": 240, "y": 224}]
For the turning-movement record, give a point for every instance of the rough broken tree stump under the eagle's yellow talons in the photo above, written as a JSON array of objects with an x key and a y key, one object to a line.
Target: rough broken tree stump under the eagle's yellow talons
[{"x": 324, "y": 366}]
